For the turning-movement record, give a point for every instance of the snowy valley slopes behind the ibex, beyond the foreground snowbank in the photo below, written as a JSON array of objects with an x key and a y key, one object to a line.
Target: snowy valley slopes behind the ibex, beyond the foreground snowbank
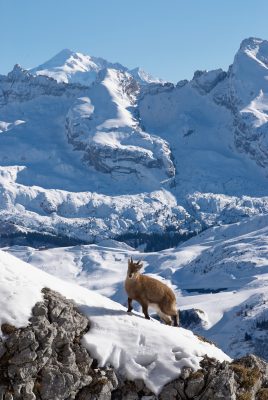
[{"x": 223, "y": 272}]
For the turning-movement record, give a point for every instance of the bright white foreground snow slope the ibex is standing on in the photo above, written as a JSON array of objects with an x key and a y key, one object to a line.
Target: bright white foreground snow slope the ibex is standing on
[{"x": 137, "y": 348}]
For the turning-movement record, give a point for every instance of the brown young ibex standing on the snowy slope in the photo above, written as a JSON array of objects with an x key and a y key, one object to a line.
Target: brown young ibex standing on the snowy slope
[{"x": 150, "y": 292}]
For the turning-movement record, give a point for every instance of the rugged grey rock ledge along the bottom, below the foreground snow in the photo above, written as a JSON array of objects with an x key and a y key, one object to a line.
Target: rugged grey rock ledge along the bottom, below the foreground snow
[{"x": 46, "y": 361}]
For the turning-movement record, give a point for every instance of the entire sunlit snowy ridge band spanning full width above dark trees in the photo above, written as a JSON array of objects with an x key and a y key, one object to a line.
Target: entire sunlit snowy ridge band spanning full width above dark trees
[{"x": 91, "y": 216}]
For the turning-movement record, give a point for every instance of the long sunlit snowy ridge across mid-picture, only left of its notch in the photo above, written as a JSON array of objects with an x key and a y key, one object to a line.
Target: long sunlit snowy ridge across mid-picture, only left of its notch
[{"x": 87, "y": 216}]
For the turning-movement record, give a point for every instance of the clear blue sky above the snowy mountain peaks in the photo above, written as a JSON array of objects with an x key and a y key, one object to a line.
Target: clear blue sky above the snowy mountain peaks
[{"x": 170, "y": 39}]
